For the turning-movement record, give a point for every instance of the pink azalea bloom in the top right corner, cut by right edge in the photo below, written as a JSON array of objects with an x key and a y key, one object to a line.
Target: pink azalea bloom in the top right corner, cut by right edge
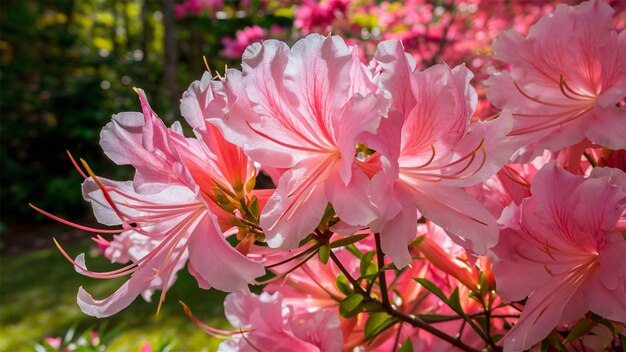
[{"x": 565, "y": 80}]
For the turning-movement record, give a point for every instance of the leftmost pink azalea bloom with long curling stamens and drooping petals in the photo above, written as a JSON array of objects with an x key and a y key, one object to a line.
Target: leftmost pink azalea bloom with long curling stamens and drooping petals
[{"x": 167, "y": 217}]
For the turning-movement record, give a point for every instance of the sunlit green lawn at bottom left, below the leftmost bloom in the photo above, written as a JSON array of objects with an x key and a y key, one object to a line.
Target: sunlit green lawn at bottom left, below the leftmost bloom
[{"x": 38, "y": 299}]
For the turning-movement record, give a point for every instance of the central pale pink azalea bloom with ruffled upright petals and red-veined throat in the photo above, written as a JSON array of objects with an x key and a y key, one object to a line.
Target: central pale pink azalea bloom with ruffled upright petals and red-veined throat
[{"x": 304, "y": 109}]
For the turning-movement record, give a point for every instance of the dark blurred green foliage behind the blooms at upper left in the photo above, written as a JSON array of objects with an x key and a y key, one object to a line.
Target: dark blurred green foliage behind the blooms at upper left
[{"x": 66, "y": 67}]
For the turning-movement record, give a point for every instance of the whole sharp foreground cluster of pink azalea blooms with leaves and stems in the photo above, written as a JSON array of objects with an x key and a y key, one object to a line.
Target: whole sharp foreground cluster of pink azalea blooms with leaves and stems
[{"x": 399, "y": 220}]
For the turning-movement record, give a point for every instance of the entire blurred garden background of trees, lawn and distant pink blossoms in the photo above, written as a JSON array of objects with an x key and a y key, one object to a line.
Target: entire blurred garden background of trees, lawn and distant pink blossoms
[{"x": 67, "y": 65}]
